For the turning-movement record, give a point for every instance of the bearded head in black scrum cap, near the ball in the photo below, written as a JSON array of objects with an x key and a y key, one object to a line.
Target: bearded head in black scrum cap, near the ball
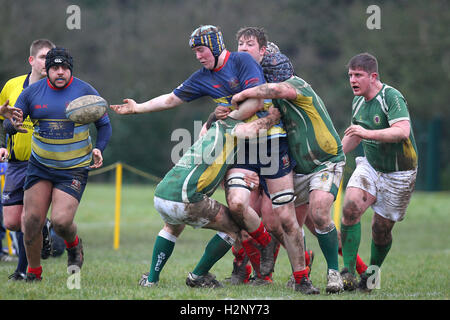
[{"x": 59, "y": 66}]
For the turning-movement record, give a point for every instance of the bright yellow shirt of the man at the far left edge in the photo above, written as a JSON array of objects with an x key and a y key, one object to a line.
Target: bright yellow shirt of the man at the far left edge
[{"x": 19, "y": 145}]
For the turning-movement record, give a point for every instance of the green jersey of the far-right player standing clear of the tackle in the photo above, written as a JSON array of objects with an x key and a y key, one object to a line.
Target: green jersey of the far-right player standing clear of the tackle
[{"x": 386, "y": 108}]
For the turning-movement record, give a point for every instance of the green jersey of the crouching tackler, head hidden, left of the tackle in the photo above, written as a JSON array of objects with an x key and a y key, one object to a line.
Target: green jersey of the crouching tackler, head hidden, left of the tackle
[{"x": 202, "y": 168}]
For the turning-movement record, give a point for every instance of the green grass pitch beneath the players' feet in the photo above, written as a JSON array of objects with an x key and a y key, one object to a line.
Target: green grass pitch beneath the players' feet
[{"x": 415, "y": 268}]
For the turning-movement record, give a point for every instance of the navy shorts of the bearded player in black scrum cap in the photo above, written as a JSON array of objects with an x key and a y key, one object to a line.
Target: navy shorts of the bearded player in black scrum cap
[{"x": 71, "y": 181}]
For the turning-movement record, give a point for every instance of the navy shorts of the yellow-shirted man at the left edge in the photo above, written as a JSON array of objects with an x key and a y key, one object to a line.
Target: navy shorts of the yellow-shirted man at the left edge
[{"x": 14, "y": 180}]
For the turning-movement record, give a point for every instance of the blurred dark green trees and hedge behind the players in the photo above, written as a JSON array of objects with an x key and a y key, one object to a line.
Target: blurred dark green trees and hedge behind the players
[{"x": 139, "y": 49}]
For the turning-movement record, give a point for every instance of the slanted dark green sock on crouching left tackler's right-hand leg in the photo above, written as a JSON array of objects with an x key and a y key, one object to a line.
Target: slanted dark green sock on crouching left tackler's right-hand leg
[{"x": 215, "y": 249}]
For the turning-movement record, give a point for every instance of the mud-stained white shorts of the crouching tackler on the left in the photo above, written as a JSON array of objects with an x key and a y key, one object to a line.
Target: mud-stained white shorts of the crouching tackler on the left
[{"x": 197, "y": 214}]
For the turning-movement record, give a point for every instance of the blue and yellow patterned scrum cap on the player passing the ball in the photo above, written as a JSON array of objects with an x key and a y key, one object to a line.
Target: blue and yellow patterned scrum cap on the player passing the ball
[{"x": 210, "y": 37}]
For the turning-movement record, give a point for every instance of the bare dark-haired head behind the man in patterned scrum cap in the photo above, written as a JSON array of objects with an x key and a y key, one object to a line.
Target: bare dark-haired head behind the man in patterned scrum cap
[{"x": 252, "y": 40}]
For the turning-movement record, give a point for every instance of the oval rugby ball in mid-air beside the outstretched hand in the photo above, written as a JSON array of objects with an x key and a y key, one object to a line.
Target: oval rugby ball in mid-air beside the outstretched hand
[{"x": 86, "y": 109}]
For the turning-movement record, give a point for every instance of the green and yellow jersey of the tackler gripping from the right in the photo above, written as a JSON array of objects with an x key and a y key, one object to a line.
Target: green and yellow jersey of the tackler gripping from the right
[{"x": 313, "y": 140}]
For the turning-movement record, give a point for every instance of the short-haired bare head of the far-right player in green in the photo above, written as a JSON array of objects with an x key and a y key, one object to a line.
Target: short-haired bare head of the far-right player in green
[{"x": 363, "y": 74}]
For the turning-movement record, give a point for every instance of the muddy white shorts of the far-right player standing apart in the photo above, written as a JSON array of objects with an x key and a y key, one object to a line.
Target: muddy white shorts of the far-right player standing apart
[{"x": 392, "y": 190}]
